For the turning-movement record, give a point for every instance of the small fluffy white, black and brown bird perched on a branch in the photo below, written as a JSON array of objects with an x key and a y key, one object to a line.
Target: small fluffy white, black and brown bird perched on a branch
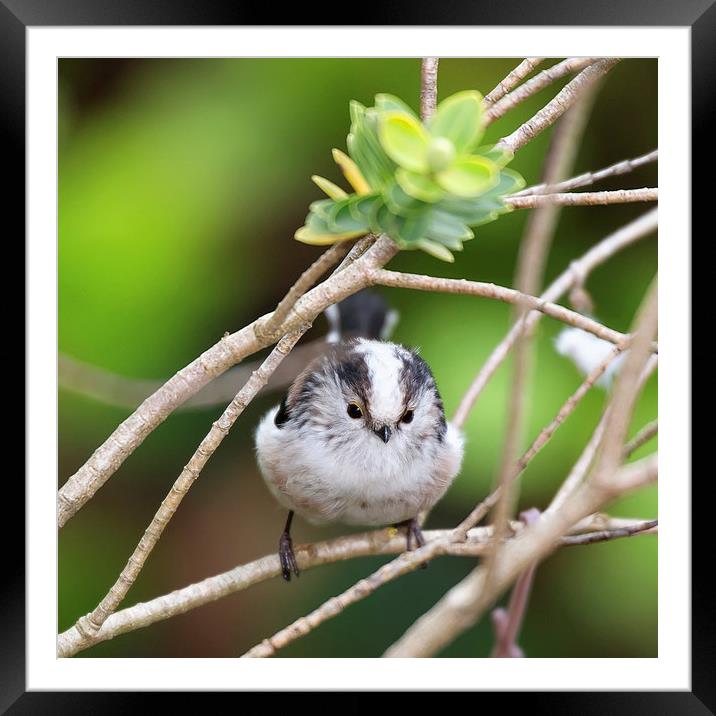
[{"x": 361, "y": 436}]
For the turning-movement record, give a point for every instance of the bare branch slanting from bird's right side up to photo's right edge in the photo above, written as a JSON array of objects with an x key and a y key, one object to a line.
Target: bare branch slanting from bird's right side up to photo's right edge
[{"x": 579, "y": 269}]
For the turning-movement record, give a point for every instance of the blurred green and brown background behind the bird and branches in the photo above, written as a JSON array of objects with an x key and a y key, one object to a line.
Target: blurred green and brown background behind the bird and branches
[{"x": 181, "y": 183}]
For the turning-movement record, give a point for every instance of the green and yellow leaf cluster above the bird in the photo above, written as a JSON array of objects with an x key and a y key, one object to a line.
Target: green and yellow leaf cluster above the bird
[{"x": 423, "y": 184}]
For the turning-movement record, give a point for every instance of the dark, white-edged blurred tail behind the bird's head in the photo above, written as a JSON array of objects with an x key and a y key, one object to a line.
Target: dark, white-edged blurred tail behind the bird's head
[{"x": 363, "y": 315}]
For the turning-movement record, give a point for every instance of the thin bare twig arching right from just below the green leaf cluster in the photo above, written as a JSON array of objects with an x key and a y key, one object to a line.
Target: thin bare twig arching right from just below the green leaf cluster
[{"x": 499, "y": 293}]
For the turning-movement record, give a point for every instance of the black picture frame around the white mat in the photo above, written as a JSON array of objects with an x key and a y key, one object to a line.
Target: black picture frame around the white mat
[{"x": 17, "y": 15}]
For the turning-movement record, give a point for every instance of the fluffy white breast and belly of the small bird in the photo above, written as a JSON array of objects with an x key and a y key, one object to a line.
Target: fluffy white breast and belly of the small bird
[{"x": 356, "y": 478}]
